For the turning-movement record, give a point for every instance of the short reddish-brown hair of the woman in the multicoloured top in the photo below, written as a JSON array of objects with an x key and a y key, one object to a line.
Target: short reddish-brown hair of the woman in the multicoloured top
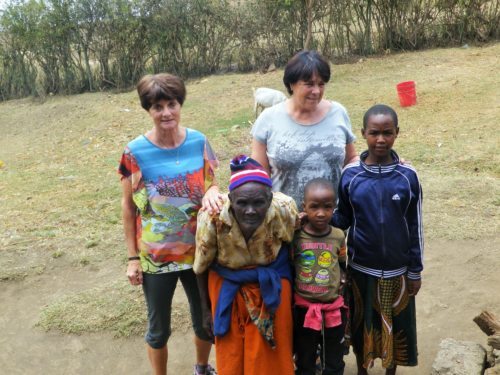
[{"x": 163, "y": 86}]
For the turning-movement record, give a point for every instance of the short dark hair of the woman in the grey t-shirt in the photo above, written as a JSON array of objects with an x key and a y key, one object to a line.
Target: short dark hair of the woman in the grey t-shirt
[{"x": 303, "y": 65}]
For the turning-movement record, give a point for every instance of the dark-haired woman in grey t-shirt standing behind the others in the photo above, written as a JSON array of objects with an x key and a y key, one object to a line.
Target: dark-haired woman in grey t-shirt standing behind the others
[{"x": 306, "y": 136}]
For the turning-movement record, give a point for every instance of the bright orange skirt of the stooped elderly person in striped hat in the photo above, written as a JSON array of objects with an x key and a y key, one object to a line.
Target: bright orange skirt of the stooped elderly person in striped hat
[{"x": 243, "y": 350}]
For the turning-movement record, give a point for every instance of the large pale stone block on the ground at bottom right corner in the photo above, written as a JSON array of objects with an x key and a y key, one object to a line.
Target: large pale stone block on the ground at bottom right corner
[{"x": 459, "y": 358}]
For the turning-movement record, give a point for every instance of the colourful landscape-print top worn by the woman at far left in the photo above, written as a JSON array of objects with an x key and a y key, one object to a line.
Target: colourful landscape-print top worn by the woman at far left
[{"x": 168, "y": 196}]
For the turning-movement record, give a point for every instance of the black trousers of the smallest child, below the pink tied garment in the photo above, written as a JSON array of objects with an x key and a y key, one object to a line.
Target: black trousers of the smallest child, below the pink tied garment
[{"x": 306, "y": 342}]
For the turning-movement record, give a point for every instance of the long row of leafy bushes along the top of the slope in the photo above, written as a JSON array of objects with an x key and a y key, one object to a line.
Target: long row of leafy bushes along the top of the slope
[{"x": 71, "y": 46}]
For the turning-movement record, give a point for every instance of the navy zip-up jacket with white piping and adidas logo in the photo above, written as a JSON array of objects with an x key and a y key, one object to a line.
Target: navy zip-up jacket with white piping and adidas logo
[{"x": 382, "y": 206}]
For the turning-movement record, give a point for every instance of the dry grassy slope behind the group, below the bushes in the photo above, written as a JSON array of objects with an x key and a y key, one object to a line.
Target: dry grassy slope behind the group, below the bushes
[{"x": 59, "y": 191}]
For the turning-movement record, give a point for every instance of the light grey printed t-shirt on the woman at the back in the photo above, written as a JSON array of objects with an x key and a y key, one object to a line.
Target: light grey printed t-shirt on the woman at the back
[{"x": 298, "y": 153}]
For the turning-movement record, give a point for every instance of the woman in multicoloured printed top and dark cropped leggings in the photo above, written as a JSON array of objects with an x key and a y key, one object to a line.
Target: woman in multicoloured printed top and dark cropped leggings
[{"x": 167, "y": 175}]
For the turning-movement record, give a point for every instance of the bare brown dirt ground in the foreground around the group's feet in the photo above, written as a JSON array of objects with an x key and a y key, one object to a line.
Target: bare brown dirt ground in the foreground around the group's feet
[{"x": 460, "y": 280}]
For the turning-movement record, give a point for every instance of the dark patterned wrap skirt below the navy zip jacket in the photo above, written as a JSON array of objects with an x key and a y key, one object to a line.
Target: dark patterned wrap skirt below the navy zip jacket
[{"x": 382, "y": 320}]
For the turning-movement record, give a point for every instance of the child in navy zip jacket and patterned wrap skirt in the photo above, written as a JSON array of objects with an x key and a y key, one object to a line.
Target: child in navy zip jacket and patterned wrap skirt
[{"x": 380, "y": 200}]
